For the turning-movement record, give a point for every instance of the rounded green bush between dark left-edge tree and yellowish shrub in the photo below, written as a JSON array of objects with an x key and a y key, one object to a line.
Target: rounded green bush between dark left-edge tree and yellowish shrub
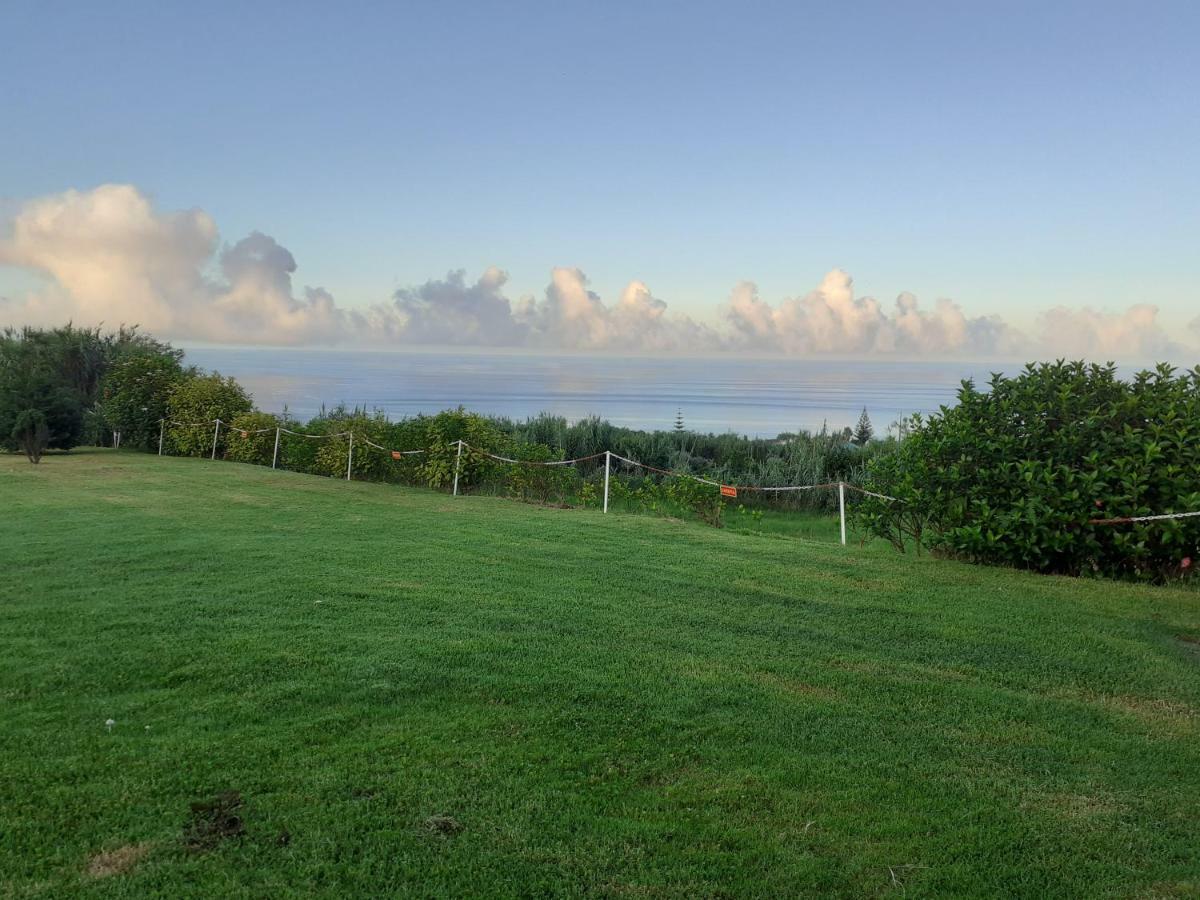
[{"x": 135, "y": 394}]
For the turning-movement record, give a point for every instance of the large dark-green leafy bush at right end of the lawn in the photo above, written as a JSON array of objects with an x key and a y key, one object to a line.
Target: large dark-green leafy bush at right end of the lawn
[{"x": 1019, "y": 475}]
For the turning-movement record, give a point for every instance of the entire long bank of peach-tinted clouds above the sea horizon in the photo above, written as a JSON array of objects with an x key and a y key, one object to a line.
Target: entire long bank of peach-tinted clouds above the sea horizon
[{"x": 109, "y": 256}]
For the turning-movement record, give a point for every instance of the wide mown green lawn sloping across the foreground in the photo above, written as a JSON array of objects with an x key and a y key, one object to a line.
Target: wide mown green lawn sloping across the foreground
[{"x": 421, "y": 695}]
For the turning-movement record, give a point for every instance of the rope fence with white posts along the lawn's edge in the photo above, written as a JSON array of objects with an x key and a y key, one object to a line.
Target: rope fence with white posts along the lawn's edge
[{"x": 609, "y": 458}]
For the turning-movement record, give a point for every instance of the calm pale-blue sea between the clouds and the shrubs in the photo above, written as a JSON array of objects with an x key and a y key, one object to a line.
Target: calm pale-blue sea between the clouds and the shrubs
[{"x": 751, "y": 397}]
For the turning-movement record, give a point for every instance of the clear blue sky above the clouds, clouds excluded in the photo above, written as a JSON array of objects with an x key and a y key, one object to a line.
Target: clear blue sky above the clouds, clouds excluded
[{"x": 1011, "y": 157}]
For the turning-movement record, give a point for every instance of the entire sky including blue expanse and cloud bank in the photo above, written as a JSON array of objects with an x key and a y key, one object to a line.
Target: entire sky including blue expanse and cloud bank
[{"x": 934, "y": 179}]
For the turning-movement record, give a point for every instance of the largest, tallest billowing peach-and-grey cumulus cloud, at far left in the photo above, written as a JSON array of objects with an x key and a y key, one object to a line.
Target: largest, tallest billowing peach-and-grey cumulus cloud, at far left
[{"x": 111, "y": 257}]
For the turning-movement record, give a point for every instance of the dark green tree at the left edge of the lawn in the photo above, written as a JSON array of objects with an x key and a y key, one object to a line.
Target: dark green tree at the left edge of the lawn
[{"x": 38, "y": 407}]
